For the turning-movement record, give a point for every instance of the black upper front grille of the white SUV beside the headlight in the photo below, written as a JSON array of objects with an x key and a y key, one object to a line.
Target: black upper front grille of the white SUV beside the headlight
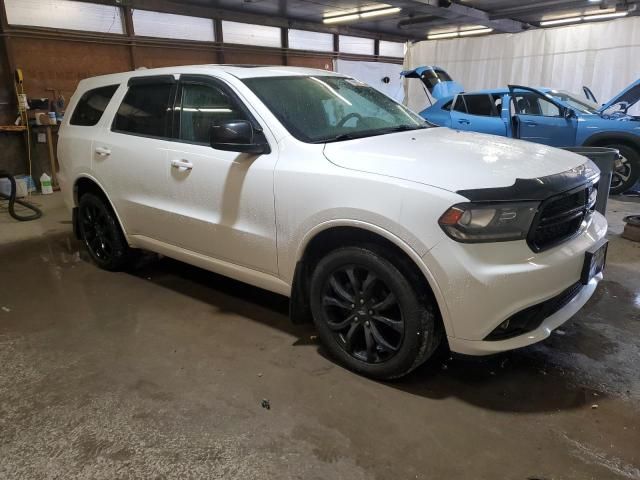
[{"x": 560, "y": 218}]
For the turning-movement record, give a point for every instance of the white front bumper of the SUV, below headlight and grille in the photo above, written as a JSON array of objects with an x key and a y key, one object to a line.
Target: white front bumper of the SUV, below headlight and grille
[{"x": 484, "y": 284}]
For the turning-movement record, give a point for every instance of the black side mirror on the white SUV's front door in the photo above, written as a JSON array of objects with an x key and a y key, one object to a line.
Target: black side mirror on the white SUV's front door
[{"x": 237, "y": 136}]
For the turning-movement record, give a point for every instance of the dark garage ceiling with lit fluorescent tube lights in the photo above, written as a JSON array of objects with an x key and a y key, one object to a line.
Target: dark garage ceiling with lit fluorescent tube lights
[{"x": 417, "y": 18}]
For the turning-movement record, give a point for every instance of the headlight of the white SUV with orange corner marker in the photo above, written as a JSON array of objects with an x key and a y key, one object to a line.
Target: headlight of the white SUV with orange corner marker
[{"x": 488, "y": 222}]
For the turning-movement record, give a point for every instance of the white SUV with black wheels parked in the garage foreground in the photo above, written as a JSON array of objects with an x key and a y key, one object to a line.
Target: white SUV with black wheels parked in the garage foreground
[{"x": 392, "y": 234}]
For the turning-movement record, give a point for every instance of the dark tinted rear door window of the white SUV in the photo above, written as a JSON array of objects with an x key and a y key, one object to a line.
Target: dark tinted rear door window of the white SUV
[{"x": 146, "y": 110}]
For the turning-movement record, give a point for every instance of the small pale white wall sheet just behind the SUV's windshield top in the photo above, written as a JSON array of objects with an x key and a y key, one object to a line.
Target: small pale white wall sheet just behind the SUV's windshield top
[{"x": 374, "y": 74}]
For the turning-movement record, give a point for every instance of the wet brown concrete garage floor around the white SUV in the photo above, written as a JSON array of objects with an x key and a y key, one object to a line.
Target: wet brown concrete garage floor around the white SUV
[{"x": 161, "y": 373}]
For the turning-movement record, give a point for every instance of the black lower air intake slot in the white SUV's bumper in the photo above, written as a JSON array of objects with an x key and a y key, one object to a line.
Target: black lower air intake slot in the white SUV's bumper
[{"x": 530, "y": 318}]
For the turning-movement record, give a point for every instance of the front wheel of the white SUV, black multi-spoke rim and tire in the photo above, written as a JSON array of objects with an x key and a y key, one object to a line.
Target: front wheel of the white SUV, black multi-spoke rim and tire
[{"x": 370, "y": 317}]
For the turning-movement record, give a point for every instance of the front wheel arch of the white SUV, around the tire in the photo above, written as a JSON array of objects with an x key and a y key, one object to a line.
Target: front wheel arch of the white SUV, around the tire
[{"x": 327, "y": 237}]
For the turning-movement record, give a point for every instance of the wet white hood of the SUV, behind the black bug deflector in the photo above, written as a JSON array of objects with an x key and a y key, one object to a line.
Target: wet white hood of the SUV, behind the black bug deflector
[{"x": 450, "y": 159}]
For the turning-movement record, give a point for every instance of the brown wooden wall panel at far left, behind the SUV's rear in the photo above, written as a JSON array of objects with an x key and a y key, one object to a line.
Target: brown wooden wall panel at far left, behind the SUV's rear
[{"x": 61, "y": 64}]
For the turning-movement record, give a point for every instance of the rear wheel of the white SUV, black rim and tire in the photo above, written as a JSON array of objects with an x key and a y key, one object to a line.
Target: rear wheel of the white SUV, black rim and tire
[{"x": 101, "y": 233}]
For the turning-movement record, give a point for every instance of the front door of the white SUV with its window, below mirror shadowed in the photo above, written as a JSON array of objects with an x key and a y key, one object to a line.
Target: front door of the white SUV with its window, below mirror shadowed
[{"x": 222, "y": 203}]
